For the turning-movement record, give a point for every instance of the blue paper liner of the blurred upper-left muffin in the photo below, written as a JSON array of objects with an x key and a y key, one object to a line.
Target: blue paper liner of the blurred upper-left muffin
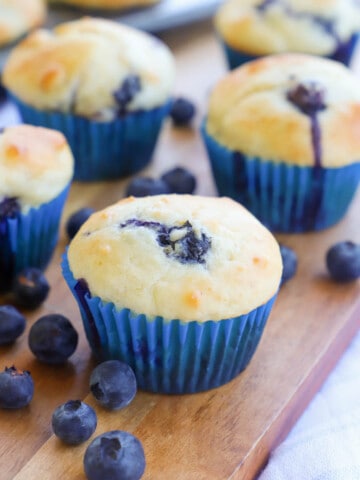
[{"x": 104, "y": 150}]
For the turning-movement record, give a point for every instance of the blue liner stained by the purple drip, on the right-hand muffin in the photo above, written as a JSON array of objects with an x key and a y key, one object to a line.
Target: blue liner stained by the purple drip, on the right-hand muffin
[{"x": 285, "y": 198}]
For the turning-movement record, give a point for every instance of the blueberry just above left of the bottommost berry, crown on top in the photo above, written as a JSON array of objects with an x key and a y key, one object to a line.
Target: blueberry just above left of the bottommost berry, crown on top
[{"x": 74, "y": 422}]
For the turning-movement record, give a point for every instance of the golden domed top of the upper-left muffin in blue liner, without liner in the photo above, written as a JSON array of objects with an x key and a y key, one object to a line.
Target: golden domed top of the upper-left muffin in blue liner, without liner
[{"x": 91, "y": 67}]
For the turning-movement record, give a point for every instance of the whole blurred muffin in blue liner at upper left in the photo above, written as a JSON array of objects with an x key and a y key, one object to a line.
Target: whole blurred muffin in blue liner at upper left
[{"x": 106, "y": 86}]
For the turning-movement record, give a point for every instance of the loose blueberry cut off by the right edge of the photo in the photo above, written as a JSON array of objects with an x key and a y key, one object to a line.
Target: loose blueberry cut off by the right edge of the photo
[{"x": 343, "y": 261}]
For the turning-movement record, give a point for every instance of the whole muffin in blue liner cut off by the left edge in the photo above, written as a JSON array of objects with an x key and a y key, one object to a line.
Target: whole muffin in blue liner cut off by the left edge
[{"x": 36, "y": 168}]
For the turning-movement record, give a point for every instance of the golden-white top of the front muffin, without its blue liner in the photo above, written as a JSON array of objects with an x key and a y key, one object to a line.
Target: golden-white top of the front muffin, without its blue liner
[{"x": 177, "y": 256}]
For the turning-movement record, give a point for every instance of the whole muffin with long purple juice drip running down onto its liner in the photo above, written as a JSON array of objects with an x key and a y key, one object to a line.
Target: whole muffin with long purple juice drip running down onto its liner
[{"x": 282, "y": 134}]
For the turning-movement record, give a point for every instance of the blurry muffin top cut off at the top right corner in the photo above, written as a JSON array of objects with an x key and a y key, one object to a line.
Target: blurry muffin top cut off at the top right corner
[{"x": 262, "y": 27}]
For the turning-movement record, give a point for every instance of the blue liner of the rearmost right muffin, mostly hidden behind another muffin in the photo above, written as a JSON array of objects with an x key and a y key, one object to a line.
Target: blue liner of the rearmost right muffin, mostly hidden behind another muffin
[{"x": 344, "y": 54}]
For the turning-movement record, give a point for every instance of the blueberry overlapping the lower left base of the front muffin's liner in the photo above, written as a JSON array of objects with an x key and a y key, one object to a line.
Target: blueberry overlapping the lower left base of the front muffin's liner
[{"x": 113, "y": 384}]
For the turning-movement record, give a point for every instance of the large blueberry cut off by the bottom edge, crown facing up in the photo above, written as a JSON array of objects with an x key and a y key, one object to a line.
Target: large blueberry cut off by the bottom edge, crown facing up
[{"x": 114, "y": 455}]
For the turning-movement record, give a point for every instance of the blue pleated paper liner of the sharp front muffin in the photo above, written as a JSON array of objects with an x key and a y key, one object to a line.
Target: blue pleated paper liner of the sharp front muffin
[{"x": 169, "y": 356}]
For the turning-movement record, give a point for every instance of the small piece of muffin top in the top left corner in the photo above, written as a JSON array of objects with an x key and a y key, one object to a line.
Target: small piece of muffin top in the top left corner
[{"x": 17, "y": 17}]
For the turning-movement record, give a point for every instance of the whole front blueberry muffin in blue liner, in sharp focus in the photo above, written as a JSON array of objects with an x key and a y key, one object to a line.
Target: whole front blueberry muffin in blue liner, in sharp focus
[{"x": 178, "y": 286}]
